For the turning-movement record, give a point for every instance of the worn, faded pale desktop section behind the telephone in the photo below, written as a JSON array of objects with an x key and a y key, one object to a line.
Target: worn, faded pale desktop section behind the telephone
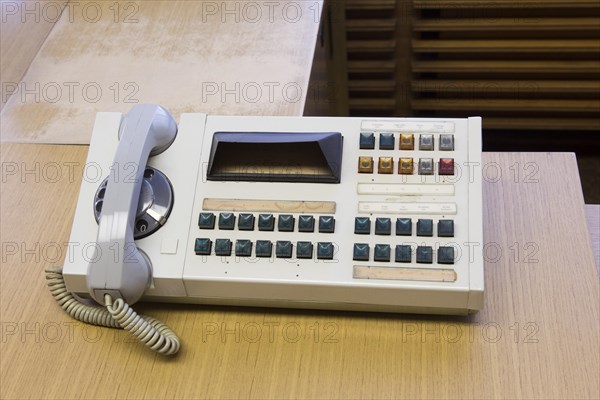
[{"x": 188, "y": 56}]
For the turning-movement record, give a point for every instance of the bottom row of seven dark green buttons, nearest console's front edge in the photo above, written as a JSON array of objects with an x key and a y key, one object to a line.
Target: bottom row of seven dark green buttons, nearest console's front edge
[{"x": 263, "y": 248}]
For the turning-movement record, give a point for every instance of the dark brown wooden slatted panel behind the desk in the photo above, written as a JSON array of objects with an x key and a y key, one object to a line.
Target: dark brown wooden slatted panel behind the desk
[{"x": 522, "y": 65}]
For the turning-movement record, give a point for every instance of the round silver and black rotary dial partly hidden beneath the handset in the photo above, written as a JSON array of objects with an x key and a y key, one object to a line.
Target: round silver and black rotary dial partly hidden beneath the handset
[{"x": 154, "y": 205}]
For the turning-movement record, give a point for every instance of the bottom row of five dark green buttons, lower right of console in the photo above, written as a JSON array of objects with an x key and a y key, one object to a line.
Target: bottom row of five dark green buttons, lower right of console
[{"x": 403, "y": 253}]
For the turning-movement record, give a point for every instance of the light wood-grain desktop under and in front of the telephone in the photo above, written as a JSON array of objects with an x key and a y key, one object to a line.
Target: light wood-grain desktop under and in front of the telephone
[{"x": 536, "y": 338}]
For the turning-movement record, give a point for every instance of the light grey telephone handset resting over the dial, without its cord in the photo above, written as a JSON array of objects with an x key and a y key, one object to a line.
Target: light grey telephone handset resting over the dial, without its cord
[{"x": 118, "y": 267}]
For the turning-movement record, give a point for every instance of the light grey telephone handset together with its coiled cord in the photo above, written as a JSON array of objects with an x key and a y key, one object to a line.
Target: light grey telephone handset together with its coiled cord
[{"x": 121, "y": 279}]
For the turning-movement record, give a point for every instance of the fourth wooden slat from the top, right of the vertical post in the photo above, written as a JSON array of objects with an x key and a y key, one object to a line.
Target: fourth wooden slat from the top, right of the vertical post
[{"x": 510, "y": 66}]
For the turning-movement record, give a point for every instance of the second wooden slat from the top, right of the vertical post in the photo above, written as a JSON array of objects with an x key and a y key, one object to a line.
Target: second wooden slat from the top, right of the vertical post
[{"x": 506, "y": 24}]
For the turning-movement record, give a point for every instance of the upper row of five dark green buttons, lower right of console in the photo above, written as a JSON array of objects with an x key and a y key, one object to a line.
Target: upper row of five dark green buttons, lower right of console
[{"x": 383, "y": 226}]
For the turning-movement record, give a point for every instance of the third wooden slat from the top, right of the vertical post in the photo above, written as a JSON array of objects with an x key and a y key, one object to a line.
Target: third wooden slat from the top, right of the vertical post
[{"x": 511, "y": 46}]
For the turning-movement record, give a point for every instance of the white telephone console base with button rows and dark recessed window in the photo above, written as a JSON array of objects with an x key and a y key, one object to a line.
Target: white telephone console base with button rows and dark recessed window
[{"x": 360, "y": 214}]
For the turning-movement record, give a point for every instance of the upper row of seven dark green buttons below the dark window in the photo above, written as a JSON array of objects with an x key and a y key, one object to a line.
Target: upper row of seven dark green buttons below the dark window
[{"x": 266, "y": 222}]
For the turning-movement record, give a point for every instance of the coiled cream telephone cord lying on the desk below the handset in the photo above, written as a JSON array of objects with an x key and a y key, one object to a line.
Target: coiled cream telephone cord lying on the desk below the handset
[{"x": 117, "y": 314}]
